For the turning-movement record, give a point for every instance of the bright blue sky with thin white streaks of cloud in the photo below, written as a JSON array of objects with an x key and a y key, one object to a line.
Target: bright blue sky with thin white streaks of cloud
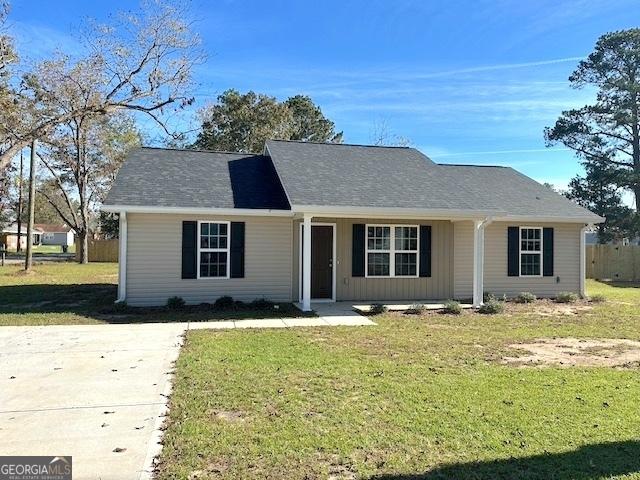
[{"x": 464, "y": 81}]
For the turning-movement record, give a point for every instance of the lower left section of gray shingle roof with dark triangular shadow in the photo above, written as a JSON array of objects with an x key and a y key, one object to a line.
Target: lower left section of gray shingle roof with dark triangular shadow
[{"x": 154, "y": 177}]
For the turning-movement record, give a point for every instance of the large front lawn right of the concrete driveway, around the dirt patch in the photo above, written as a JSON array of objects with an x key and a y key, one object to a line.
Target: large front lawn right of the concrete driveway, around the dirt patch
[{"x": 418, "y": 396}]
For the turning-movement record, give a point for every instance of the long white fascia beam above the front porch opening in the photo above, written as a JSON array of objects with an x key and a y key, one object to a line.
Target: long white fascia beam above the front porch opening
[{"x": 392, "y": 212}]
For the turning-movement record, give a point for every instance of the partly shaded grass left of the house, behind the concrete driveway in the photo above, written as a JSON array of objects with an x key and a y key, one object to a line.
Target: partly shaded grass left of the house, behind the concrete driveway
[{"x": 69, "y": 293}]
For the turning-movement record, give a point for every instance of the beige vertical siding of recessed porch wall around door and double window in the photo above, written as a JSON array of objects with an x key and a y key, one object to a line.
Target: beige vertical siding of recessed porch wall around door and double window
[{"x": 438, "y": 286}]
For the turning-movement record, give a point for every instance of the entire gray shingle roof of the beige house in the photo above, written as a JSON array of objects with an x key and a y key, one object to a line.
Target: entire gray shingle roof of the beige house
[{"x": 330, "y": 175}]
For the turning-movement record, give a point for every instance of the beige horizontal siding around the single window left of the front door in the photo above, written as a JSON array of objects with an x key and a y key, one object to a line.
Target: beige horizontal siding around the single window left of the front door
[{"x": 154, "y": 261}]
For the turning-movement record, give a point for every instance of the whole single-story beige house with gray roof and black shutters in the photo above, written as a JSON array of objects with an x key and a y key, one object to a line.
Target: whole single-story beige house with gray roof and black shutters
[{"x": 324, "y": 222}]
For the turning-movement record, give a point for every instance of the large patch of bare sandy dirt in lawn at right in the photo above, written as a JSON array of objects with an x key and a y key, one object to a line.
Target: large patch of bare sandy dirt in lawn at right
[{"x": 605, "y": 352}]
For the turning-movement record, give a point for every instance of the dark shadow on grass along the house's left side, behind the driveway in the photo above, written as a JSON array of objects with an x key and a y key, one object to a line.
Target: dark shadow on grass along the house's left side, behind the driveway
[{"x": 96, "y": 301}]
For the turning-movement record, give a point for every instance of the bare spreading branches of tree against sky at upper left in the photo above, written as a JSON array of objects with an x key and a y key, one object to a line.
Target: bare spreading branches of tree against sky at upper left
[{"x": 141, "y": 62}]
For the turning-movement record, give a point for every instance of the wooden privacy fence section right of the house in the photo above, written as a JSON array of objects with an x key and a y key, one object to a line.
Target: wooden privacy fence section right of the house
[{"x": 613, "y": 262}]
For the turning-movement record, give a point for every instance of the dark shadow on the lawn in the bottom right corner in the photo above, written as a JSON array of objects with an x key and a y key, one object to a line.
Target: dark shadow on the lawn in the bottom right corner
[{"x": 591, "y": 462}]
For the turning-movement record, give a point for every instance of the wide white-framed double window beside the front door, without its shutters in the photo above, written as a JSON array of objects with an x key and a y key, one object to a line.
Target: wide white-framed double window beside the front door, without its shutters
[{"x": 392, "y": 251}]
